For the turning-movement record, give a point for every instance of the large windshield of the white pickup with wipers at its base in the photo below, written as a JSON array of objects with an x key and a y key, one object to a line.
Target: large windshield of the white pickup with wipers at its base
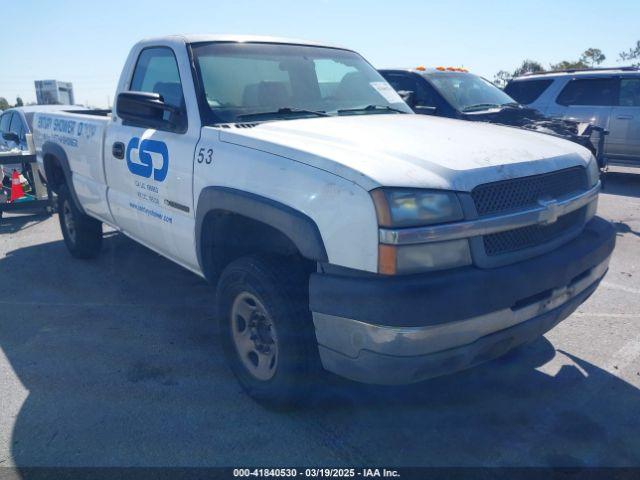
[{"x": 261, "y": 81}]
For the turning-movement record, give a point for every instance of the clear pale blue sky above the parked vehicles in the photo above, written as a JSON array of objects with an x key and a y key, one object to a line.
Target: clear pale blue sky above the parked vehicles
[{"x": 86, "y": 42}]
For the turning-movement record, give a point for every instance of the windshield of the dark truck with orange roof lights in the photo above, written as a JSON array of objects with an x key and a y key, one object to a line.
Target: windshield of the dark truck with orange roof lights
[{"x": 467, "y": 92}]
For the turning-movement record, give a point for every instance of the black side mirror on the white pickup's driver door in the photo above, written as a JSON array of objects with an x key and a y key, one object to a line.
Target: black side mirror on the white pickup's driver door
[{"x": 149, "y": 110}]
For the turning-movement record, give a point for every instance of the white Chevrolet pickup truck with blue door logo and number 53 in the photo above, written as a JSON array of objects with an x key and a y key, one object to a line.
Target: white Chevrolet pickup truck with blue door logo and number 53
[{"x": 341, "y": 229}]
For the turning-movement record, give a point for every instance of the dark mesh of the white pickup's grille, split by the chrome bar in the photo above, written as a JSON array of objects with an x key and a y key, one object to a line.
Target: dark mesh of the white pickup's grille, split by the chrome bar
[{"x": 524, "y": 193}]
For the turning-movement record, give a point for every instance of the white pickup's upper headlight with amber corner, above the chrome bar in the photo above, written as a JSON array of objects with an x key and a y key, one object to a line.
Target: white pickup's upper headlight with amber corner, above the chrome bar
[{"x": 397, "y": 208}]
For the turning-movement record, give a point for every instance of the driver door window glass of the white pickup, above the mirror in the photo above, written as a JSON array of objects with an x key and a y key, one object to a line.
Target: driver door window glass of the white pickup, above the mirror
[{"x": 157, "y": 72}]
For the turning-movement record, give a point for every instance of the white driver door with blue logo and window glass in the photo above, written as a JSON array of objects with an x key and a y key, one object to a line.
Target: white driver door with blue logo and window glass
[{"x": 149, "y": 170}]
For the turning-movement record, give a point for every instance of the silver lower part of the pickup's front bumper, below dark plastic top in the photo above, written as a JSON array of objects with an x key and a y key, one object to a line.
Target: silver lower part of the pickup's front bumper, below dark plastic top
[{"x": 397, "y": 355}]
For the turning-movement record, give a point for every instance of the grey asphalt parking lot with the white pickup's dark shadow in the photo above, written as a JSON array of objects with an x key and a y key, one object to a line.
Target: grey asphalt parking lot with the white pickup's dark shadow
[{"x": 117, "y": 362}]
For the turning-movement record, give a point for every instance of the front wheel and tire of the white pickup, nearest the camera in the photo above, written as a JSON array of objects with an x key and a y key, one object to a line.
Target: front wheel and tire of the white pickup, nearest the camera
[{"x": 270, "y": 345}]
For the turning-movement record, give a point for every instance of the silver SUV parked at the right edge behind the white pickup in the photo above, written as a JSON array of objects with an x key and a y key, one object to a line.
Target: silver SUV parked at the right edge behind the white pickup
[{"x": 608, "y": 98}]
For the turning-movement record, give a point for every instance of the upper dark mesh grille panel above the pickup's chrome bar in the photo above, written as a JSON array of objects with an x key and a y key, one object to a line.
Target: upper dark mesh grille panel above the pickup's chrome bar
[{"x": 521, "y": 193}]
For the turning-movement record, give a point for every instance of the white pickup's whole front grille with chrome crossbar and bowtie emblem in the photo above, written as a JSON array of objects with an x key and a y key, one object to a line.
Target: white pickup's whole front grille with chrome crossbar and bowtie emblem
[{"x": 512, "y": 220}]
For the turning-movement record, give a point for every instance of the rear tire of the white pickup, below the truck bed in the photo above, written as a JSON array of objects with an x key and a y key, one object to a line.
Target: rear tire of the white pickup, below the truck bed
[{"x": 82, "y": 234}]
